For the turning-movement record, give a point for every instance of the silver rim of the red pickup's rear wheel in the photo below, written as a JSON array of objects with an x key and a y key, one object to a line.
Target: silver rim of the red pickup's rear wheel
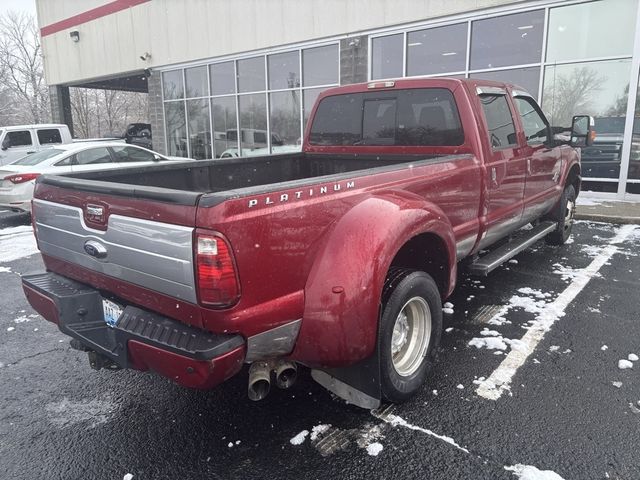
[{"x": 411, "y": 335}]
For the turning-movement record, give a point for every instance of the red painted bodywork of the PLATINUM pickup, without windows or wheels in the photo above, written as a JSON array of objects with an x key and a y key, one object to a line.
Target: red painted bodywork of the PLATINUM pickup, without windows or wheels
[{"x": 293, "y": 246}]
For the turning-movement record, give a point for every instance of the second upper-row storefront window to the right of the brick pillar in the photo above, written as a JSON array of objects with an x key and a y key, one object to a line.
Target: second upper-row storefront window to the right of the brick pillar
[{"x": 437, "y": 50}]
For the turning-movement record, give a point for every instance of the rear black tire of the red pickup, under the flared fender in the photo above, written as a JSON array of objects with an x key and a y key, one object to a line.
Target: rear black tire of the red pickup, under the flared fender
[{"x": 407, "y": 291}]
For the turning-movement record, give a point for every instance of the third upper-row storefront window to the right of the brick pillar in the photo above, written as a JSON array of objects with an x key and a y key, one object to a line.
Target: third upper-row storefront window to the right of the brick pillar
[{"x": 507, "y": 40}]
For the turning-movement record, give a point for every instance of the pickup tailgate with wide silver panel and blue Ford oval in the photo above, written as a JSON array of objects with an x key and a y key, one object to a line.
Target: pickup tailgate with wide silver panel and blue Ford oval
[{"x": 134, "y": 241}]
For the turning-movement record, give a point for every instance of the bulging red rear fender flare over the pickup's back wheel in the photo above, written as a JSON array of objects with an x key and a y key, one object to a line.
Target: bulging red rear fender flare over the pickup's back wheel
[{"x": 343, "y": 290}]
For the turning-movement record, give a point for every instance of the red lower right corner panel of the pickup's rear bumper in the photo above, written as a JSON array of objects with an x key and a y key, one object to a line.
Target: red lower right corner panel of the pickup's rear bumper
[{"x": 183, "y": 370}]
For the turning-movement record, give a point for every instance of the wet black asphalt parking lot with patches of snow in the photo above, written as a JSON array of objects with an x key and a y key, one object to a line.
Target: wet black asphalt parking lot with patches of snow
[{"x": 528, "y": 381}]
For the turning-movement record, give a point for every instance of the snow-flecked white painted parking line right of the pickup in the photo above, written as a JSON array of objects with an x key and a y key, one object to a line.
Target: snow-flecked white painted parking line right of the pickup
[{"x": 500, "y": 380}]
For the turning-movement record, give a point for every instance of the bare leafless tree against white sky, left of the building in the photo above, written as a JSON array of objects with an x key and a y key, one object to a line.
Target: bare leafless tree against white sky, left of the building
[{"x": 21, "y": 69}]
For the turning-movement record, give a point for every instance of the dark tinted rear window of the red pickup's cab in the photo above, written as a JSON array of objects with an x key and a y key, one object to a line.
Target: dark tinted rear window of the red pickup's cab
[{"x": 407, "y": 117}]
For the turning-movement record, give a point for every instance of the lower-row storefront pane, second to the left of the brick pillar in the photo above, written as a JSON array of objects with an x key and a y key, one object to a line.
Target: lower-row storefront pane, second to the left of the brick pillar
[{"x": 285, "y": 120}]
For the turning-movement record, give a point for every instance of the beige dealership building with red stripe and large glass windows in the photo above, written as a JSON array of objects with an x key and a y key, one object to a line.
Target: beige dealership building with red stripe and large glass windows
[{"x": 239, "y": 77}]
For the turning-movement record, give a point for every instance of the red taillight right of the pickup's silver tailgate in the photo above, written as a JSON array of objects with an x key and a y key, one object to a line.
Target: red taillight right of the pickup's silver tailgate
[{"x": 217, "y": 279}]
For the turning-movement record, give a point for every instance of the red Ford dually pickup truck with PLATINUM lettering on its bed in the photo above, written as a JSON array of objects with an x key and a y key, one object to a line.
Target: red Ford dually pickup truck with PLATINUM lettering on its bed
[{"x": 336, "y": 258}]
